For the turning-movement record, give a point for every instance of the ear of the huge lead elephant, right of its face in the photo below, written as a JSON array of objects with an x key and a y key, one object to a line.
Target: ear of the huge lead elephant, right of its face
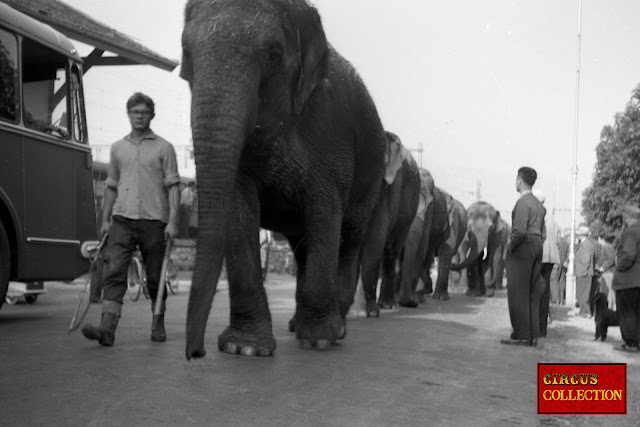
[{"x": 313, "y": 50}]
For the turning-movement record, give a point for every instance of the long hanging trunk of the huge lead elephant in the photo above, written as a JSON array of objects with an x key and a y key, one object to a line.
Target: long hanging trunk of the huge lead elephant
[{"x": 221, "y": 119}]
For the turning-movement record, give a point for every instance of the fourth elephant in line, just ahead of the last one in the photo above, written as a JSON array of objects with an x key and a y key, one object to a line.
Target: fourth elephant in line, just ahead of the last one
[{"x": 447, "y": 233}]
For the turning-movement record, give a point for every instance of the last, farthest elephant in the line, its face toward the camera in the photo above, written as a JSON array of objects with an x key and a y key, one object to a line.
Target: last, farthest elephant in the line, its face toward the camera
[{"x": 486, "y": 230}]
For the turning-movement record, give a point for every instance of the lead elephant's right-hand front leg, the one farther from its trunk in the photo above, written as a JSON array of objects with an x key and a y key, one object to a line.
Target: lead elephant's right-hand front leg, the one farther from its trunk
[{"x": 318, "y": 323}]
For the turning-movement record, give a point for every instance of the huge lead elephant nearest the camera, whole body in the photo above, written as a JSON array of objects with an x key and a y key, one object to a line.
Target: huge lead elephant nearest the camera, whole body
[{"x": 286, "y": 137}]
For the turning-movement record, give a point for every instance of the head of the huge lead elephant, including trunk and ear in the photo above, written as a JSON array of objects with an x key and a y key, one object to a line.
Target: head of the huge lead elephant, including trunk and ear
[{"x": 252, "y": 66}]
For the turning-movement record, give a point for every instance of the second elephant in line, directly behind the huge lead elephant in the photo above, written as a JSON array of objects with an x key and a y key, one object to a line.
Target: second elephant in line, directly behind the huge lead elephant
[{"x": 390, "y": 222}]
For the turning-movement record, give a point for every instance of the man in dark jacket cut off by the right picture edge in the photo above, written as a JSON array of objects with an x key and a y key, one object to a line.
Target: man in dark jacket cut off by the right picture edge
[{"x": 626, "y": 280}]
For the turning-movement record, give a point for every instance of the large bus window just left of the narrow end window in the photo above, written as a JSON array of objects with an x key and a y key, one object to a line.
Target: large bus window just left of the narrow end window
[{"x": 44, "y": 89}]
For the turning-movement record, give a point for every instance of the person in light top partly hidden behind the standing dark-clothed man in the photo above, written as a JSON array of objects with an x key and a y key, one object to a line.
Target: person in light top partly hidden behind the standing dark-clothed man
[{"x": 550, "y": 263}]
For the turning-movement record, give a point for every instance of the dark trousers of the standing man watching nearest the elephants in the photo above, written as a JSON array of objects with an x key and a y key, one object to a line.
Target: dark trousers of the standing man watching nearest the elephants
[{"x": 524, "y": 288}]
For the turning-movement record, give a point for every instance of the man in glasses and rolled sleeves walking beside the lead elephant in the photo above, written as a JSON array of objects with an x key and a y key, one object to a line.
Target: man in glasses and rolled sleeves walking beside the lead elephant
[{"x": 140, "y": 209}]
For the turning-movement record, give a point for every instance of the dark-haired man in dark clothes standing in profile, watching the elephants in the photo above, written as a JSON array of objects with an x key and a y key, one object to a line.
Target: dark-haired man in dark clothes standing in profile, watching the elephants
[{"x": 524, "y": 262}]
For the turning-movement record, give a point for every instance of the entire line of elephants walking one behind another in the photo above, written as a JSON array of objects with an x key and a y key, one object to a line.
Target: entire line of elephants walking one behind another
[{"x": 286, "y": 137}]
